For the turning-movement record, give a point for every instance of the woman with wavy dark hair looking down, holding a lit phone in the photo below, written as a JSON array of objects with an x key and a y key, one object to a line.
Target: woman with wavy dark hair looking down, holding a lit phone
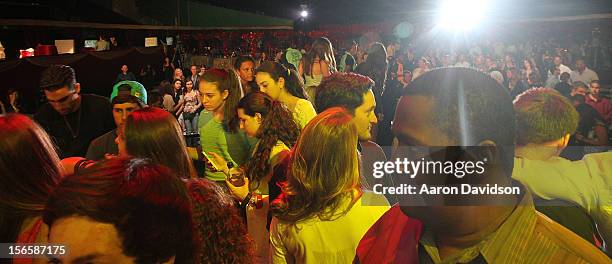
[{"x": 272, "y": 123}]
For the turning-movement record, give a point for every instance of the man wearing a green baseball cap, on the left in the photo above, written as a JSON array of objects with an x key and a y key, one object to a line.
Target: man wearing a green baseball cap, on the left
[{"x": 127, "y": 96}]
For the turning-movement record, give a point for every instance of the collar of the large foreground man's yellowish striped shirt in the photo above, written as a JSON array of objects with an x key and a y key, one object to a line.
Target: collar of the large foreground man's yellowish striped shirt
[{"x": 503, "y": 246}]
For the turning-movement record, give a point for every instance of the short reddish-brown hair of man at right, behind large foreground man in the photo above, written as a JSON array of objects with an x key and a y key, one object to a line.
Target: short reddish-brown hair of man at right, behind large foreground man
[{"x": 543, "y": 115}]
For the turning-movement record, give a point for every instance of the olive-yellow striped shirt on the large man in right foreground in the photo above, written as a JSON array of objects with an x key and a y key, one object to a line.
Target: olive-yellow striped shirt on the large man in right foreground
[{"x": 527, "y": 236}]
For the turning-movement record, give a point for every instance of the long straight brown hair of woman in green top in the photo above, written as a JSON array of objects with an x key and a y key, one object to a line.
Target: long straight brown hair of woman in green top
[{"x": 227, "y": 80}]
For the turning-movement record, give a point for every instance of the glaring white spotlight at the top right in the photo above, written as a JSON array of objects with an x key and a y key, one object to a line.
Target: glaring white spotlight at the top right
[{"x": 461, "y": 15}]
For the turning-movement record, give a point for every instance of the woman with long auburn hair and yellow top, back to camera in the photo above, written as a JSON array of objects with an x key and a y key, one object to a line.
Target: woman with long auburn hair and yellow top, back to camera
[{"x": 322, "y": 199}]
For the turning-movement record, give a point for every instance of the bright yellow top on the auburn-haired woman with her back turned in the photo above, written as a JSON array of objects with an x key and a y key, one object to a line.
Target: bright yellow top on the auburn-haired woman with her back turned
[{"x": 317, "y": 241}]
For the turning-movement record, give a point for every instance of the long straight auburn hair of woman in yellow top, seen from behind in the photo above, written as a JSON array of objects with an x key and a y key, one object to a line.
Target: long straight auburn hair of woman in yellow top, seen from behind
[{"x": 324, "y": 168}]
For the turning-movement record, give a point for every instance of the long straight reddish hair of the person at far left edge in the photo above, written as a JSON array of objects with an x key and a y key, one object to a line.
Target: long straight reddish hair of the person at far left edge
[{"x": 29, "y": 169}]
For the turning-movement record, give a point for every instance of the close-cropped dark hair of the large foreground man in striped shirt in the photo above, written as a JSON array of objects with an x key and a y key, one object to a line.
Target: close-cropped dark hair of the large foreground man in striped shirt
[{"x": 469, "y": 107}]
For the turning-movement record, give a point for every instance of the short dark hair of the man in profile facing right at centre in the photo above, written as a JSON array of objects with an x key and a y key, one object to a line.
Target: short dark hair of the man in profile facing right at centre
[{"x": 342, "y": 89}]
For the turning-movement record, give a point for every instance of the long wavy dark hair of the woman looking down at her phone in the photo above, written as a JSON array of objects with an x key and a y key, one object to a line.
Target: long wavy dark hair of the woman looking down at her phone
[{"x": 278, "y": 124}]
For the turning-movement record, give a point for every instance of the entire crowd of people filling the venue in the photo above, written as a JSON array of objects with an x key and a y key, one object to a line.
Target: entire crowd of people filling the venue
[{"x": 272, "y": 162}]
